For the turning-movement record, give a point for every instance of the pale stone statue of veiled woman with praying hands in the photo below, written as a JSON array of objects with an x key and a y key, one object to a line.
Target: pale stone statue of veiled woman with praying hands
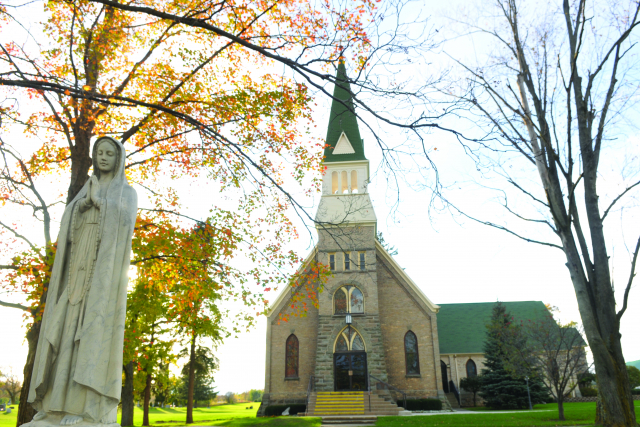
[{"x": 77, "y": 373}]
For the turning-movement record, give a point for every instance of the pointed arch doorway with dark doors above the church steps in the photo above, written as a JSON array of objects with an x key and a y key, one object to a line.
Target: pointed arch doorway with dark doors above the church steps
[{"x": 350, "y": 361}]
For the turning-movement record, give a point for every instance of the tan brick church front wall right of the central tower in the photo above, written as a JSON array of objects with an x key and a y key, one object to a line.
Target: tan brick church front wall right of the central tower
[{"x": 399, "y": 314}]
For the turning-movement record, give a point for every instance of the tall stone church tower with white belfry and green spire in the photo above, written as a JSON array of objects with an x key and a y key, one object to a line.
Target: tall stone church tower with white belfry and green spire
[{"x": 349, "y": 341}]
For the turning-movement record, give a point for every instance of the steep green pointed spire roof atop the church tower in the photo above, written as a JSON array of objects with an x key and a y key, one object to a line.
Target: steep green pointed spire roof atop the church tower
[{"x": 343, "y": 119}]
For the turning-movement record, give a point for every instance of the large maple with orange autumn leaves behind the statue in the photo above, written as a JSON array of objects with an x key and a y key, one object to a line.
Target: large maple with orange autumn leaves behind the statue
[{"x": 184, "y": 104}]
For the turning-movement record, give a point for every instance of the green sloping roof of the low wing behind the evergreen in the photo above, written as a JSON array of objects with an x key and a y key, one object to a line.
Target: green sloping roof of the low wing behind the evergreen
[{"x": 462, "y": 327}]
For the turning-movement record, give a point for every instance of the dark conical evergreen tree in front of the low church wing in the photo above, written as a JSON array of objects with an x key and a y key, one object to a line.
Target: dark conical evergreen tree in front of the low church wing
[{"x": 500, "y": 388}]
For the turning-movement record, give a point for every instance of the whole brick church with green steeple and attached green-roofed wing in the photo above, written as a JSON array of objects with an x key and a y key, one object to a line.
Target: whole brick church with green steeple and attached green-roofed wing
[{"x": 374, "y": 328}]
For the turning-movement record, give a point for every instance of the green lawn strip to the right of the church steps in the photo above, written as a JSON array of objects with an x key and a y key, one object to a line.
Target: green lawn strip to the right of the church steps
[{"x": 581, "y": 414}]
